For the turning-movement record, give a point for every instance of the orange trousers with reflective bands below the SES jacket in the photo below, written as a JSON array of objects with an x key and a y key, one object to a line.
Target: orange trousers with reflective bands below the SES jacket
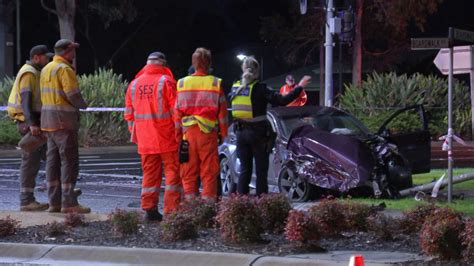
[{"x": 152, "y": 165}]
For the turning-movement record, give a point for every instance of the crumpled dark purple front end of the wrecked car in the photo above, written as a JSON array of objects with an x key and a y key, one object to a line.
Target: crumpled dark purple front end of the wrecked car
[{"x": 344, "y": 162}]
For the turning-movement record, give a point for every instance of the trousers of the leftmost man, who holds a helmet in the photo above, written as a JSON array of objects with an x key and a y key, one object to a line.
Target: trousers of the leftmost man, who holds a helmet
[{"x": 30, "y": 165}]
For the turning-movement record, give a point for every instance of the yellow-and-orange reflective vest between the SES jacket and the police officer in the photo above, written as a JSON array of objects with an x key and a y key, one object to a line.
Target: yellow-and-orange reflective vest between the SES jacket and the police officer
[{"x": 198, "y": 97}]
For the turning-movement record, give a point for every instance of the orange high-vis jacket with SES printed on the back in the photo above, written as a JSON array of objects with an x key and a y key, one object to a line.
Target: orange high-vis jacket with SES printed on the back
[{"x": 149, "y": 104}]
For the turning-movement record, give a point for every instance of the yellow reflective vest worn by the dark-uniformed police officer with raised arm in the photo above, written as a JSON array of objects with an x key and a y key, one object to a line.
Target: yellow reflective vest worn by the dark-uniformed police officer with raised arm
[{"x": 242, "y": 101}]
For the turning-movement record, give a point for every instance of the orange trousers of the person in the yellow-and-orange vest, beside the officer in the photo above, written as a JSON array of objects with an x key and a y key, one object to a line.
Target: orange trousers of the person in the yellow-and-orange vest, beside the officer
[{"x": 203, "y": 162}]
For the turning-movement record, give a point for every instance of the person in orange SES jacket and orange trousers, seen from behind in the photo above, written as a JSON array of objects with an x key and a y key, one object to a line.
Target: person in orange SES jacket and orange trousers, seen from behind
[{"x": 149, "y": 104}]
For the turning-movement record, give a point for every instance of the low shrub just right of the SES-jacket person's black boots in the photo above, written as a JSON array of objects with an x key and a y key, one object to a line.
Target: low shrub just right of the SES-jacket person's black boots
[{"x": 178, "y": 226}]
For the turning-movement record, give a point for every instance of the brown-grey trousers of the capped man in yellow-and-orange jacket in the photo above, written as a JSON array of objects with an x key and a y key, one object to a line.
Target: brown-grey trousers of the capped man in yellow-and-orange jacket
[{"x": 62, "y": 167}]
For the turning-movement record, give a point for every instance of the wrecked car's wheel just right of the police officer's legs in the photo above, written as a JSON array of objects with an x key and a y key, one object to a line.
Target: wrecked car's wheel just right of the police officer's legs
[{"x": 293, "y": 186}]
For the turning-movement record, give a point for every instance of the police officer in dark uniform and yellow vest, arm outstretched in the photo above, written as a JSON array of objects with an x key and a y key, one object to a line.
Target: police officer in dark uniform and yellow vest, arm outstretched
[{"x": 249, "y": 99}]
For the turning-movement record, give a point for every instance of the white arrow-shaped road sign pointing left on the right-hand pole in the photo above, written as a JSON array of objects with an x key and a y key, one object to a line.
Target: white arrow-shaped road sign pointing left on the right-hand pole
[{"x": 463, "y": 60}]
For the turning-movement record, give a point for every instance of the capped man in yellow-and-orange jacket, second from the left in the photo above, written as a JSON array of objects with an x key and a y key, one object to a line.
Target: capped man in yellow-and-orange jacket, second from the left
[{"x": 62, "y": 99}]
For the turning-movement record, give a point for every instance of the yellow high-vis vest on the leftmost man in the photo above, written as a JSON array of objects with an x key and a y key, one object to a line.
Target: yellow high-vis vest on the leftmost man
[{"x": 14, "y": 109}]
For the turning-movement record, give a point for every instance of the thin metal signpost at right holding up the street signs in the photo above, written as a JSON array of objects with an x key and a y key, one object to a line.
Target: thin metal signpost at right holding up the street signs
[{"x": 450, "y": 118}]
